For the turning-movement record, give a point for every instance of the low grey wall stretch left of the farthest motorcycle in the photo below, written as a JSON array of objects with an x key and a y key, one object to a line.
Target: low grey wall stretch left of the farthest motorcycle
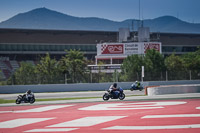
[{"x": 60, "y": 87}]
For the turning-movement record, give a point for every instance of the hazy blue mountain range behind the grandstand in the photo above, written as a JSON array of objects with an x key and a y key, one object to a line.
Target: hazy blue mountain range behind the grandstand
[{"x": 43, "y": 18}]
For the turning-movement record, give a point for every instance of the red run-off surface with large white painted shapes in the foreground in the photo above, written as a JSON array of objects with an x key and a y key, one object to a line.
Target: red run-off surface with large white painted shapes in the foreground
[{"x": 140, "y": 114}]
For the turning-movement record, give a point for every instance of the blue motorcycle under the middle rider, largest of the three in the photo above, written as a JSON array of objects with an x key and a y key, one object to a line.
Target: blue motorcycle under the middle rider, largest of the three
[{"x": 114, "y": 95}]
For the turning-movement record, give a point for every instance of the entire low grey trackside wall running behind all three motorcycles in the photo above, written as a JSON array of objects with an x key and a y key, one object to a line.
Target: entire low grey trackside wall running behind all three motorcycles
[{"x": 8, "y": 89}]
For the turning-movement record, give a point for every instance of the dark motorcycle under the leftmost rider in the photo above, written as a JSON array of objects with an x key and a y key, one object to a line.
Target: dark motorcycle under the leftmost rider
[{"x": 22, "y": 98}]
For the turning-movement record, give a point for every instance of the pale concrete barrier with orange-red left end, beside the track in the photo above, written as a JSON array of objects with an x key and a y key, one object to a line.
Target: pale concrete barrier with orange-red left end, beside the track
[{"x": 173, "y": 89}]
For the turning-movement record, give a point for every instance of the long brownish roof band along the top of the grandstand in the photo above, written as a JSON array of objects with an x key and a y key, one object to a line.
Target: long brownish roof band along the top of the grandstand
[{"x": 87, "y": 37}]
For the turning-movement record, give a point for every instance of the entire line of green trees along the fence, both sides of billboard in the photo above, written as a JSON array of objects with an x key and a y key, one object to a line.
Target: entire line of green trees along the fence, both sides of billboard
[{"x": 72, "y": 68}]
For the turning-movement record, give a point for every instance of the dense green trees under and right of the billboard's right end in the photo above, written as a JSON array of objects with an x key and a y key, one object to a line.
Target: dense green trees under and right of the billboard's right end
[{"x": 157, "y": 67}]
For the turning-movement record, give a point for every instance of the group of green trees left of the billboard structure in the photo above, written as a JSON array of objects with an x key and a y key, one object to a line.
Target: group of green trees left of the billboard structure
[{"x": 70, "y": 68}]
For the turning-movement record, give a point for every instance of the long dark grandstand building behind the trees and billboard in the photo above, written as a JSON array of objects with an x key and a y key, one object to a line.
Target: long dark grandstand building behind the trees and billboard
[{"x": 30, "y": 45}]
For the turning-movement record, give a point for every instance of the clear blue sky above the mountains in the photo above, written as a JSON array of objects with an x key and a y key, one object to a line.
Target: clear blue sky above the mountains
[{"x": 116, "y": 10}]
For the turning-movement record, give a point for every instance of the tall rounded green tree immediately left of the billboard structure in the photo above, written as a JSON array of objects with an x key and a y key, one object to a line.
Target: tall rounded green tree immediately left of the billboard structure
[{"x": 74, "y": 64}]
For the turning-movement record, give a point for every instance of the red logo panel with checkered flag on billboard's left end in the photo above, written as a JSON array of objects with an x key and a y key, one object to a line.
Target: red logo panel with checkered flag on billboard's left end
[{"x": 112, "y": 49}]
